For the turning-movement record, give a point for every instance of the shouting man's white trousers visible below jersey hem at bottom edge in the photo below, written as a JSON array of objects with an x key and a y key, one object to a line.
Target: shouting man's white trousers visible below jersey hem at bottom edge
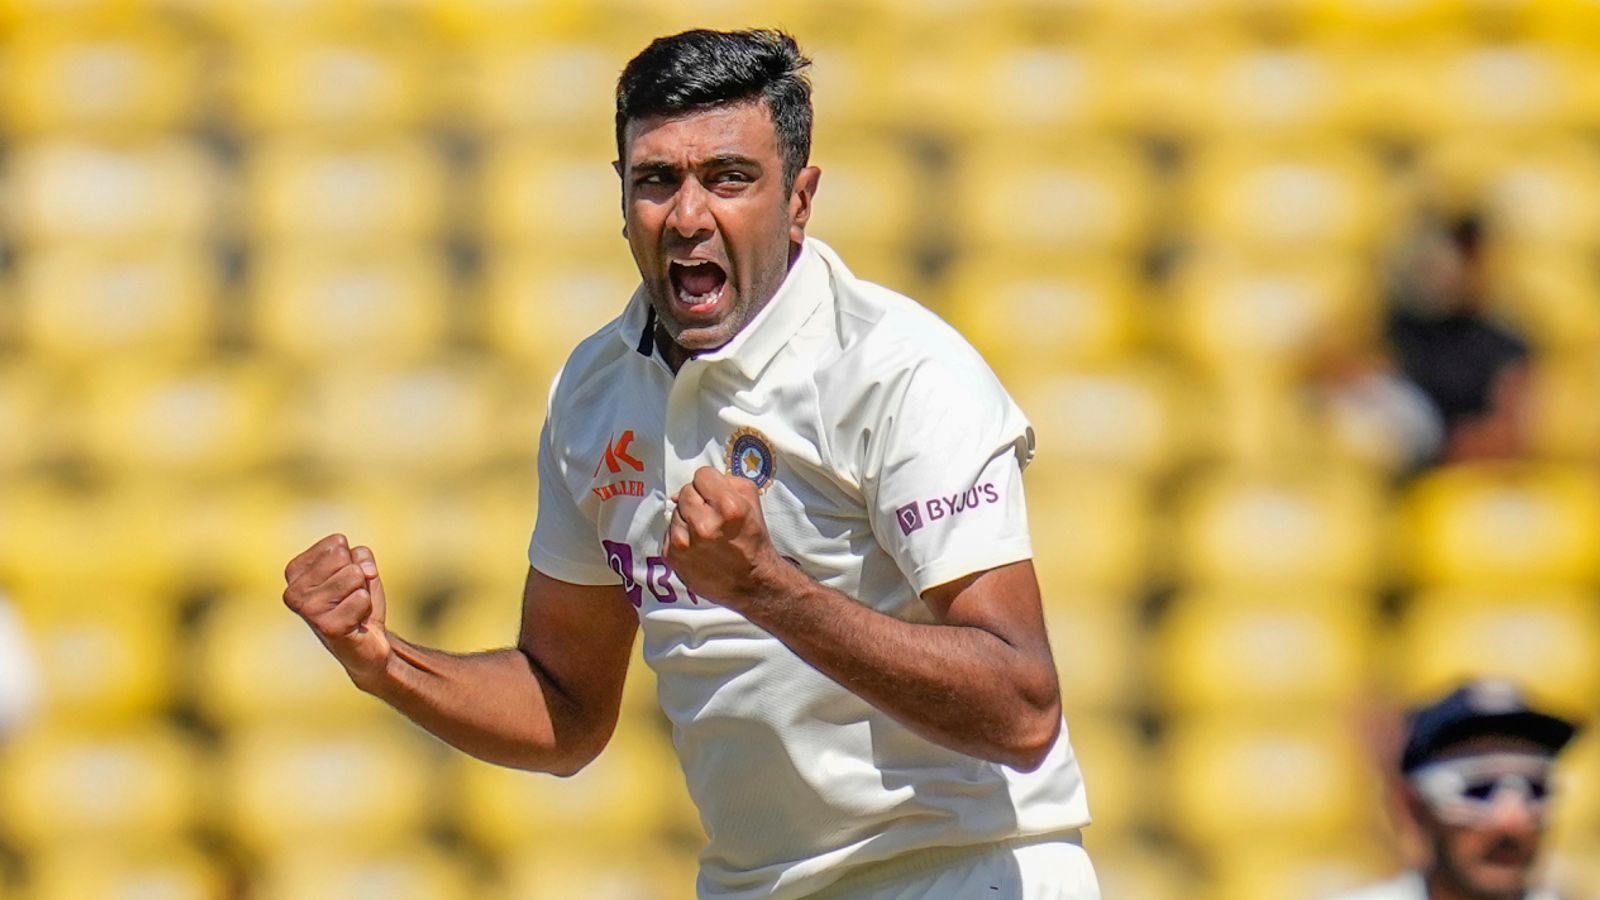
[{"x": 1044, "y": 870}]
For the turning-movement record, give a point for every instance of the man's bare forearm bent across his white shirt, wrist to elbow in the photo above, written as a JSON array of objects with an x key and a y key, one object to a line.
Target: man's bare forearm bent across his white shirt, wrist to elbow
[{"x": 959, "y": 686}]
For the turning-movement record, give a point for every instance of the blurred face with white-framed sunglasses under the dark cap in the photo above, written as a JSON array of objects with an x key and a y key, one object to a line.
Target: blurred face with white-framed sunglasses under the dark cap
[{"x": 1487, "y": 850}]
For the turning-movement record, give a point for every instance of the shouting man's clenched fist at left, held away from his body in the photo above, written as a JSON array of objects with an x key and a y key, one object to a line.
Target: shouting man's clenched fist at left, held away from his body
[{"x": 337, "y": 590}]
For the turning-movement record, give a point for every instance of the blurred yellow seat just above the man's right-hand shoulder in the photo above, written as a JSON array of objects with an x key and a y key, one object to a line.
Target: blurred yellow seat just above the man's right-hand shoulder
[{"x": 1033, "y": 318}]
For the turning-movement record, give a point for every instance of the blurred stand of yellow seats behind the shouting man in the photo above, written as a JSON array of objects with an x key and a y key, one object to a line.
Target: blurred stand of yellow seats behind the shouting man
[{"x": 1303, "y": 299}]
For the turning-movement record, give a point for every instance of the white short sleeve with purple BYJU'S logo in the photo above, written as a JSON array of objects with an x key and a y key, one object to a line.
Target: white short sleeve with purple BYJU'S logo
[{"x": 945, "y": 478}]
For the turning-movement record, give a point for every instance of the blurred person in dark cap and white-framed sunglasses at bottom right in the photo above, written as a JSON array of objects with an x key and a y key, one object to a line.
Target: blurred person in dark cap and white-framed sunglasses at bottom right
[{"x": 1476, "y": 781}]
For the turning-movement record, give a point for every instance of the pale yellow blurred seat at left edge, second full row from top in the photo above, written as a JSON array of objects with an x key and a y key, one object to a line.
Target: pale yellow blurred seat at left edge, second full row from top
[{"x": 63, "y": 190}]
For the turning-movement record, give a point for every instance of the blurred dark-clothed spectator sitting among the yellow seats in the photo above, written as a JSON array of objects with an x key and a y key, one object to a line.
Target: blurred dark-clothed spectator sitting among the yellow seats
[{"x": 1473, "y": 368}]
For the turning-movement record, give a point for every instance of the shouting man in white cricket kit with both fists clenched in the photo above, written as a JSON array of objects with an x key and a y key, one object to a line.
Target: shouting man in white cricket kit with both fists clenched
[{"x": 807, "y": 492}]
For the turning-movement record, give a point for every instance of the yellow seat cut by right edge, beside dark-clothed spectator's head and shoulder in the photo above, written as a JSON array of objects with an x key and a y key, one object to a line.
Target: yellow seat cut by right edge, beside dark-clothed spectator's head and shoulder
[{"x": 1551, "y": 299}]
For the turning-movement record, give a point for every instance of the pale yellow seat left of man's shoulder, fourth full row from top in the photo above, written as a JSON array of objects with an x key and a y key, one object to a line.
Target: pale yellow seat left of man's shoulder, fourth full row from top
[{"x": 434, "y": 419}]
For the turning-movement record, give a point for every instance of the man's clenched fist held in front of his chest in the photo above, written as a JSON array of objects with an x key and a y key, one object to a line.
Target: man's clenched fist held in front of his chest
[{"x": 718, "y": 540}]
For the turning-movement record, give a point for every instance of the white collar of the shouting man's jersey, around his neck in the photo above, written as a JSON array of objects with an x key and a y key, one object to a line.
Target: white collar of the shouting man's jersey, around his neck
[{"x": 772, "y": 329}]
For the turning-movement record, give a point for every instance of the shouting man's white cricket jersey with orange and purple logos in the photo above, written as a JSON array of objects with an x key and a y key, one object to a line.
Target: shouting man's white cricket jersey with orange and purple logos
[{"x": 889, "y": 459}]
